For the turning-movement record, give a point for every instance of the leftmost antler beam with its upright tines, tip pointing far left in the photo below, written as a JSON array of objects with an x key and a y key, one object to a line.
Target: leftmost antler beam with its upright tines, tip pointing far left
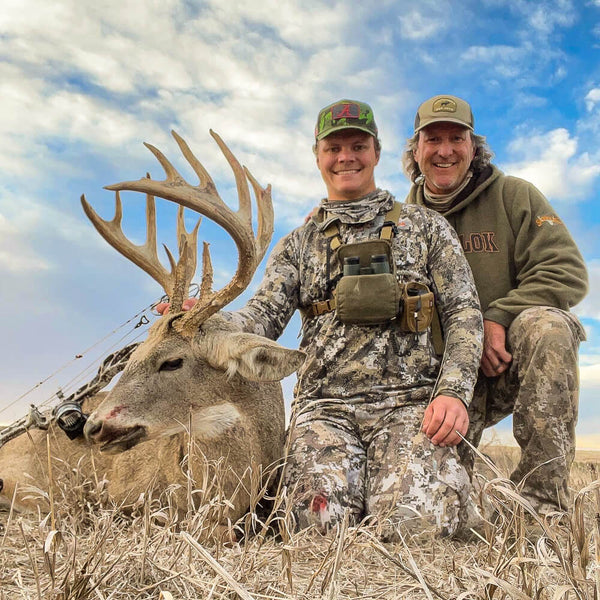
[{"x": 144, "y": 256}]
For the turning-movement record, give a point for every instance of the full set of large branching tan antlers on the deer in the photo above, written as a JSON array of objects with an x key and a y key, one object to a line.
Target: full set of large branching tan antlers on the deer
[{"x": 205, "y": 200}]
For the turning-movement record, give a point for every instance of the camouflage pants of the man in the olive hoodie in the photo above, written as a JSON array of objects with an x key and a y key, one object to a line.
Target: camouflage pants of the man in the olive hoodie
[{"x": 540, "y": 390}]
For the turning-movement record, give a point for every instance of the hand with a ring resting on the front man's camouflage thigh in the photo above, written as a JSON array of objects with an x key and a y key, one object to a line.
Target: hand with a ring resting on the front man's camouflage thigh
[{"x": 443, "y": 418}]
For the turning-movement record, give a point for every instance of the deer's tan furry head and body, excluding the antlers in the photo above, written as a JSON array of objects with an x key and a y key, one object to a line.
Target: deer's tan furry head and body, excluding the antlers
[{"x": 137, "y": 434}]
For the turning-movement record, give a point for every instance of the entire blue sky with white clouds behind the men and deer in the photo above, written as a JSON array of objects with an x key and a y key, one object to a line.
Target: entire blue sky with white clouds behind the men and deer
[{"x": 83, "y": 84}]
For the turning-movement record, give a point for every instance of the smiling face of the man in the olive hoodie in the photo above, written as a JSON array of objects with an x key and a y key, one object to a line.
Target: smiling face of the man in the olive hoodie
[{"x": 444, "y": 153}]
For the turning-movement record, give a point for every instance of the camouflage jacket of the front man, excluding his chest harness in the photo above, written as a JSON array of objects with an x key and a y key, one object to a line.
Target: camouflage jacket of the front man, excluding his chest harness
[{"x": 349, "y": 360}]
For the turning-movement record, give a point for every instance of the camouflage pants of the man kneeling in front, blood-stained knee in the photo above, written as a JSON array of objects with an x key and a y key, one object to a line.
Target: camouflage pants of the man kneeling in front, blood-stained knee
[{"x": 369, "y": 457}]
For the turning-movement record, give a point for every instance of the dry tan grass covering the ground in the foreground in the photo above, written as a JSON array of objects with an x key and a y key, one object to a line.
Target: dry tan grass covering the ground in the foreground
[{"x": 86, "y": 549}]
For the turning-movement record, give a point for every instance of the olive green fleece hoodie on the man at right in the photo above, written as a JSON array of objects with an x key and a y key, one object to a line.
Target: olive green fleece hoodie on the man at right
[{"x": 519, "y": 250}]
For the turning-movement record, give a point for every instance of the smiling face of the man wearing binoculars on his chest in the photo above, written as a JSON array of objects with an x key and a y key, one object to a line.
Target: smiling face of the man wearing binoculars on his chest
[{"x": 347, "y": 161}]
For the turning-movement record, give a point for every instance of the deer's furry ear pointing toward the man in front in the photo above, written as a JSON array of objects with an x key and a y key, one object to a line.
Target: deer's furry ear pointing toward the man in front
[{"x": 259, "y": 359}]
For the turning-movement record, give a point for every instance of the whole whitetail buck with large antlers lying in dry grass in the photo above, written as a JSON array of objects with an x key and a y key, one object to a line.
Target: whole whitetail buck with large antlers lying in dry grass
[{"x": 195, "y": 372}]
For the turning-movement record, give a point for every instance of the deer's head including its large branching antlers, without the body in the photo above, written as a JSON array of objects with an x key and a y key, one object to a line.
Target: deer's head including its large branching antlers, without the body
[{"x": 195, "y": 366}]
